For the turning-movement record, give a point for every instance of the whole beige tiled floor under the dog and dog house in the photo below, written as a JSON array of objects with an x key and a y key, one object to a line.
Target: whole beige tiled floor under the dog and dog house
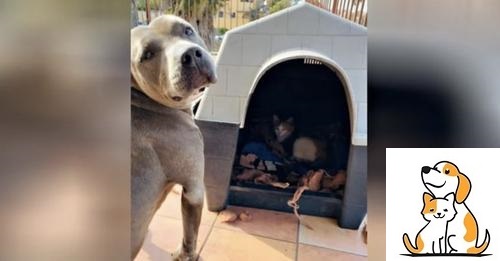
[{"x": 270, "y": 235}]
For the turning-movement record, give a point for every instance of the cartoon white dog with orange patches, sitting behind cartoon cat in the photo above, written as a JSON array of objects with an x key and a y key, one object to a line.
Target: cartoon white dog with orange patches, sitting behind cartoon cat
[{"x": 462, "y": 233}]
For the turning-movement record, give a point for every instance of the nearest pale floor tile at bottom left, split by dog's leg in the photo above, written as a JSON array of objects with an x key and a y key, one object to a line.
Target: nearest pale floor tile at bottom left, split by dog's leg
[{"x": 164, "y": 236}]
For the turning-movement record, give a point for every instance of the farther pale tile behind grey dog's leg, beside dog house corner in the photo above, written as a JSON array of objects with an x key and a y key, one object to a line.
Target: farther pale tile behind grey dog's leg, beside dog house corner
[{"x": 171, "y": 207}]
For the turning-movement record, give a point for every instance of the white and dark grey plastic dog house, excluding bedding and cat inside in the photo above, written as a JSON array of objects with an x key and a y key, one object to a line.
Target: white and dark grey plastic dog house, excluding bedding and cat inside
[{"x": 302, "y": 62}]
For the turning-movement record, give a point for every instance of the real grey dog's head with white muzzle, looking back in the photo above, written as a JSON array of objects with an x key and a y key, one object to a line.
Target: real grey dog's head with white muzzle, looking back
[{"x": 169, "y": 62}]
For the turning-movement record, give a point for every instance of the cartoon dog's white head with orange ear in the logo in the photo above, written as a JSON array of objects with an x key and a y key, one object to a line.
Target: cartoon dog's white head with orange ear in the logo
[{"x": 444, "y": 178}]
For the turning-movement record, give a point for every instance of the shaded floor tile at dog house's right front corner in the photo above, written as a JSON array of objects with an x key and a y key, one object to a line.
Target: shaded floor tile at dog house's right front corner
[{"x": 326, "y": 233}]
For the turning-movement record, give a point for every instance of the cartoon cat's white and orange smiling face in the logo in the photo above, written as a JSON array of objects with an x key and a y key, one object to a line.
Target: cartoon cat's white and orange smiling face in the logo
[{"x": 439, "y": 208}]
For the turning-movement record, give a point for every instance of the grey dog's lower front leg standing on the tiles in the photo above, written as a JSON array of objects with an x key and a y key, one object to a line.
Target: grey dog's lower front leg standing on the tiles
[{"x": 192, "y": 205}]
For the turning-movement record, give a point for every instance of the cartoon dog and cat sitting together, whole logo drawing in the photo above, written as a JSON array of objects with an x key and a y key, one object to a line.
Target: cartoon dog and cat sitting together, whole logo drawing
[{"x": 451, "y": 229}]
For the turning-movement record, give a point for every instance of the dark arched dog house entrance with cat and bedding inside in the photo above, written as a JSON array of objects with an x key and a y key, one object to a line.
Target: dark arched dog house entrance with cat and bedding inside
[{"x": 297, "y": 124}]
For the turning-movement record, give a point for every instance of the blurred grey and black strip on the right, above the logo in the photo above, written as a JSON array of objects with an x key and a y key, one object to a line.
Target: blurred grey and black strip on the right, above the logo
[{"x": 433, "y": 81}]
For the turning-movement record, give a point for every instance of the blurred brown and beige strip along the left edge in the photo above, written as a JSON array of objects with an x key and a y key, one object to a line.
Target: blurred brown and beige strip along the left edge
[{"x": 64, "y": 130}]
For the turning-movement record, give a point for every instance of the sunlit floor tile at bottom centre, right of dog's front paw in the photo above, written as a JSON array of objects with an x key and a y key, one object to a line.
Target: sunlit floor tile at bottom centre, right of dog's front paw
[{"x": 228, "y": 245}]
